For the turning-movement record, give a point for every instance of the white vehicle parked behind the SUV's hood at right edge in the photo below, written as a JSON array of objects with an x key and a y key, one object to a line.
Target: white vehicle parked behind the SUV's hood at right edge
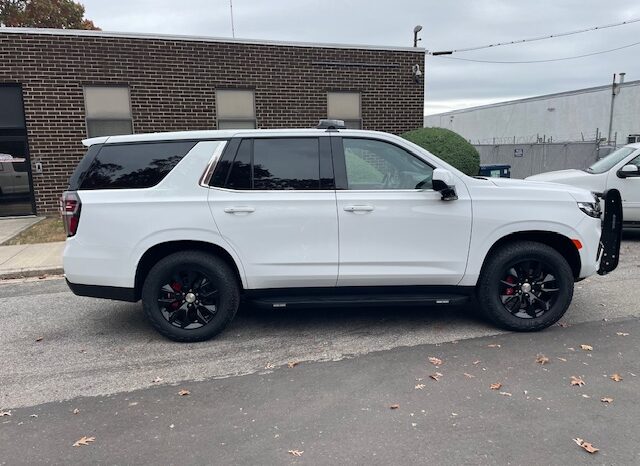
[{"x": 619, "y": 170}]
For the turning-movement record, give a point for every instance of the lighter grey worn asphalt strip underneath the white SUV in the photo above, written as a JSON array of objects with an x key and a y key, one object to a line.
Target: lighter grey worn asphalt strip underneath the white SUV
[{"x": 95, "y": 347}]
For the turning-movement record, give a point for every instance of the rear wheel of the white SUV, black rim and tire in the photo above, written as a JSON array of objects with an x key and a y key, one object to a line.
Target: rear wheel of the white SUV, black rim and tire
[{"x": 175, "y": 280}]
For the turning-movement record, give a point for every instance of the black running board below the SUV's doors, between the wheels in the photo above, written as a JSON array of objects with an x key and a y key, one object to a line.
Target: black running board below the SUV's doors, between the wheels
[{"x": 358, "y": 300}]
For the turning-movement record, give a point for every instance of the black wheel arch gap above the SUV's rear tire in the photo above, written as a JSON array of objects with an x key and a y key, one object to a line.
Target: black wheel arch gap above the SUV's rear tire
[{"x": 152, "y": 255}]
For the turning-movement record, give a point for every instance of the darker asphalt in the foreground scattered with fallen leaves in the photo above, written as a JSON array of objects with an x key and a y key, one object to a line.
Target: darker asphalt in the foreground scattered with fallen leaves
[{"x": 340, "y": 412}]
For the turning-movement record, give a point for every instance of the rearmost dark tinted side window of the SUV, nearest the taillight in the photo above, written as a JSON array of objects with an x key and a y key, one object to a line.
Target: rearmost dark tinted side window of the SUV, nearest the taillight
[{"x": 121, "y": 166}]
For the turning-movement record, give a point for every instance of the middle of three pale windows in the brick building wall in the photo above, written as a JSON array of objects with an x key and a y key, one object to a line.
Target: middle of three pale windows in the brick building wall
[{"x": 235, "y": 109}]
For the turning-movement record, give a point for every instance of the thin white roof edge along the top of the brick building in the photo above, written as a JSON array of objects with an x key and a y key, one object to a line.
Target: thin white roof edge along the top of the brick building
[{"x": 179, "y": 37}]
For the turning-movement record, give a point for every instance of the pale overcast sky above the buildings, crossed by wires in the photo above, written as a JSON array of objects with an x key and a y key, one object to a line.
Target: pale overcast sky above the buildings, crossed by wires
[{"x": 447, "y": 25}]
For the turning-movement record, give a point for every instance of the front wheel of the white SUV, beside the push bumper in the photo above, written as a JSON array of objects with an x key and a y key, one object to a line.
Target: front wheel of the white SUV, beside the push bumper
[{"x": 515, "y": 289}]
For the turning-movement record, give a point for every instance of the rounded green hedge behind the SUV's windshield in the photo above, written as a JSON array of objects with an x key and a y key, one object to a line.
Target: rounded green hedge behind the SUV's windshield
[{"x": 449, "y": 146}]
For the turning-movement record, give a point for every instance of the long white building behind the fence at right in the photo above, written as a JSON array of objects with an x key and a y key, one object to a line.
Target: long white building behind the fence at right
[{"x": 566, "y": 116}]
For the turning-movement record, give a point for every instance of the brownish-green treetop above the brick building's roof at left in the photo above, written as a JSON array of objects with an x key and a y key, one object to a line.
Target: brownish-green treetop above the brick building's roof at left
[{"x": 58, "y": 14}]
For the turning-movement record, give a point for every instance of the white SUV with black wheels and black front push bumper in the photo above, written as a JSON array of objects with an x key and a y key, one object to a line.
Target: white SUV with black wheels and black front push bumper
[{"x": 194, "y": 222}]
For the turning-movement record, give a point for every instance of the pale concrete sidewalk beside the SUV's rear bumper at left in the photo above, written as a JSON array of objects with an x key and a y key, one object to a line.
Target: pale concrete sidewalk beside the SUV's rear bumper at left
[{"x": 31, "y": 260}]
